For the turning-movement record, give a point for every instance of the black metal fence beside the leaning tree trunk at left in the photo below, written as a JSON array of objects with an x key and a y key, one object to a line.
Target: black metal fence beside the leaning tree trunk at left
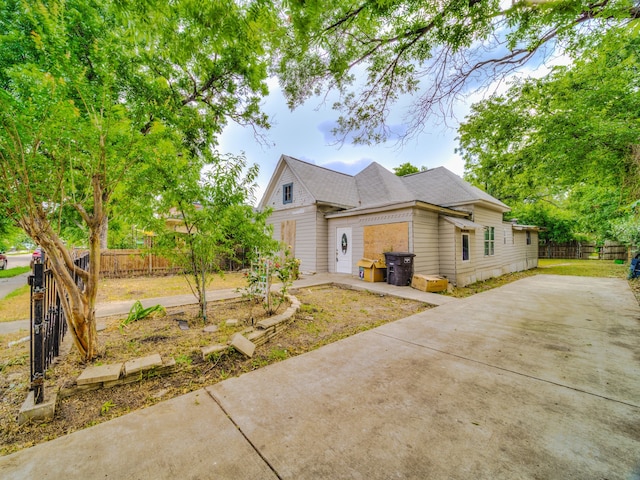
[{"x": 48, "y": 321}]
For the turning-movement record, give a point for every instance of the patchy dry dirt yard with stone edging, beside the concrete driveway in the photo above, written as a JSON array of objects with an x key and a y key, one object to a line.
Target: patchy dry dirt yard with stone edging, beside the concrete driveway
[{"x": 327, "y": 314}]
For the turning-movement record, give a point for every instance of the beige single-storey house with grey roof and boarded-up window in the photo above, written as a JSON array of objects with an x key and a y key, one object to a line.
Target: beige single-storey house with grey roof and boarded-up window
[{"x": 331, "y": 220}]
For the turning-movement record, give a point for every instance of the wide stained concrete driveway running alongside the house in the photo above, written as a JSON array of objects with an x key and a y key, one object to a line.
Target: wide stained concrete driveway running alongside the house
[{"x": 537, "y": 379}]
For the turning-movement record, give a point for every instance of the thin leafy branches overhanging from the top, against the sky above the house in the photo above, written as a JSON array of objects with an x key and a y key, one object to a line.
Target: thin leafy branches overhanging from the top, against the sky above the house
[{"x": 372, "y": 52}]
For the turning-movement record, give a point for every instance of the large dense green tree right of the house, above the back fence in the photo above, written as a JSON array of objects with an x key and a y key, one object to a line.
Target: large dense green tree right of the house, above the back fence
[{"x": 568, "y": 140}]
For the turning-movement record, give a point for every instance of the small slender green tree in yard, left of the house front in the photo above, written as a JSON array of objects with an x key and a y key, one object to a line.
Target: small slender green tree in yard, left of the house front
[{"x": 213, "y": 220}]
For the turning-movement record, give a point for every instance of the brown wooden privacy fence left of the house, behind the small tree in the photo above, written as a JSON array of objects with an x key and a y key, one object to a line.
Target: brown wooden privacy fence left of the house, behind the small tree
[{"x": 137, "y": 263}]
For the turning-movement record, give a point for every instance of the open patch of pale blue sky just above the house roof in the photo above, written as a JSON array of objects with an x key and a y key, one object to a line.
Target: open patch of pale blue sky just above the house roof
[{"x": 305, "y": 134}]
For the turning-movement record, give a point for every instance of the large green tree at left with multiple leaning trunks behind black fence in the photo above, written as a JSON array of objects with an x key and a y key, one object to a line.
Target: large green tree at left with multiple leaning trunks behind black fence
[{"x": 93, "y": 95}]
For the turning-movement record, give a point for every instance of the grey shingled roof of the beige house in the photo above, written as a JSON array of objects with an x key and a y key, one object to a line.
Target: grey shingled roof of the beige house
[{"x": 375, "y": 186}]
